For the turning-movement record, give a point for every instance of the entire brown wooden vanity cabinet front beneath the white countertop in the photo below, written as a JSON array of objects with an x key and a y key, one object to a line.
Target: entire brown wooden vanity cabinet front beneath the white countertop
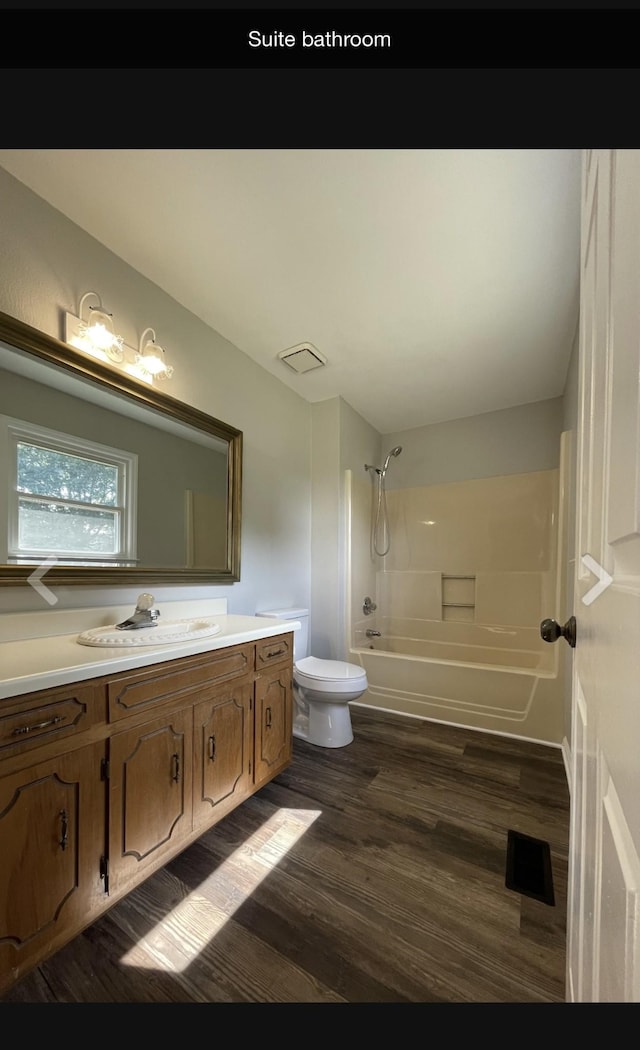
[{"x": 103, "y": 783}]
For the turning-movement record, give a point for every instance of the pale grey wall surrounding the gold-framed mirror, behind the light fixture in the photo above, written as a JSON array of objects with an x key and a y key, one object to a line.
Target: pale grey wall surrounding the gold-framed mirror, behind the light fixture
[{"x": 47, "y": 265}]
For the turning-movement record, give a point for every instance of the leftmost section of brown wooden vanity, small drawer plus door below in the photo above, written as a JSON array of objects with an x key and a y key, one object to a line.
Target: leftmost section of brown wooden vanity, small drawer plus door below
[{"x": 52, "y": 821}]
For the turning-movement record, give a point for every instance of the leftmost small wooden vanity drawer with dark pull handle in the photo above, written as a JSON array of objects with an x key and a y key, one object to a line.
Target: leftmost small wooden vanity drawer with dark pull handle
[{"x": 38, "y": 719}]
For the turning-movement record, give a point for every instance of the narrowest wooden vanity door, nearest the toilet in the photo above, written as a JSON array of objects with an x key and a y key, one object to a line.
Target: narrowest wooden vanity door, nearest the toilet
[{"x": 273, "y": 743}]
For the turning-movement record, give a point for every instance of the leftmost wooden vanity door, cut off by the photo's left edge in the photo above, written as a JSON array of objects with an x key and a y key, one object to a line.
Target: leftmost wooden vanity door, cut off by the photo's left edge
[{"x": 52, "y": 842}]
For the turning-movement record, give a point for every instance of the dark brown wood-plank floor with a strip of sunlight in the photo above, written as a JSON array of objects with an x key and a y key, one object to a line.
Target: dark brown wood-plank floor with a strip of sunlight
[{"x": 368, "y": 874}]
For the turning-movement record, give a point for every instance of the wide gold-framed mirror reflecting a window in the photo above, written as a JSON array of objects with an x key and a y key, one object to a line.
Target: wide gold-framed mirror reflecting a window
[{"x": 168, "y": 477}]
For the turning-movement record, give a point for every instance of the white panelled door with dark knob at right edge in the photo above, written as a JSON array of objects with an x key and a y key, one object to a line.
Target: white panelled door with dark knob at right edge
[{"x": 604, "y": 919}]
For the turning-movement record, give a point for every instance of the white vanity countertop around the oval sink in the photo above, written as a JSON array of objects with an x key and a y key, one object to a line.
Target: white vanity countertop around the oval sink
[{"x": 42, "y": 663}]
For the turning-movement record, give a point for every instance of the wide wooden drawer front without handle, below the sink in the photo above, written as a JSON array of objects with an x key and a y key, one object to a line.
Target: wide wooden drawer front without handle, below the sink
[{"x": 168, "y": 685}]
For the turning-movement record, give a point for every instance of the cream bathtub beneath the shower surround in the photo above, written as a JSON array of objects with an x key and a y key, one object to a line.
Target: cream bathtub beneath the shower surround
[{"x": 499, "y": 680}]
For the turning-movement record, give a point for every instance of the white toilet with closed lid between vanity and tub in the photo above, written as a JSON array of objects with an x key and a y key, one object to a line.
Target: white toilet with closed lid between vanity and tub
[{"x": 323, "y": 689}]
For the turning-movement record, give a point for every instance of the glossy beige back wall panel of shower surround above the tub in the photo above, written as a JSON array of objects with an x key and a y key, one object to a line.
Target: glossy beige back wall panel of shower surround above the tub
[{"x": 499, "y": 533}]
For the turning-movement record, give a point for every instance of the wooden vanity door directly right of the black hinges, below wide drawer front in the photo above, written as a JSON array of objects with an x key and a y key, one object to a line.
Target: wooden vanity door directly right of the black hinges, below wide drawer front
[{"x": 151, "y": 795}]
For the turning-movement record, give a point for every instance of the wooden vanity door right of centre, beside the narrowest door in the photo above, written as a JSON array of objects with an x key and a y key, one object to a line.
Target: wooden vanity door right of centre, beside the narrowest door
[{"x": 223, "y": 753}]
